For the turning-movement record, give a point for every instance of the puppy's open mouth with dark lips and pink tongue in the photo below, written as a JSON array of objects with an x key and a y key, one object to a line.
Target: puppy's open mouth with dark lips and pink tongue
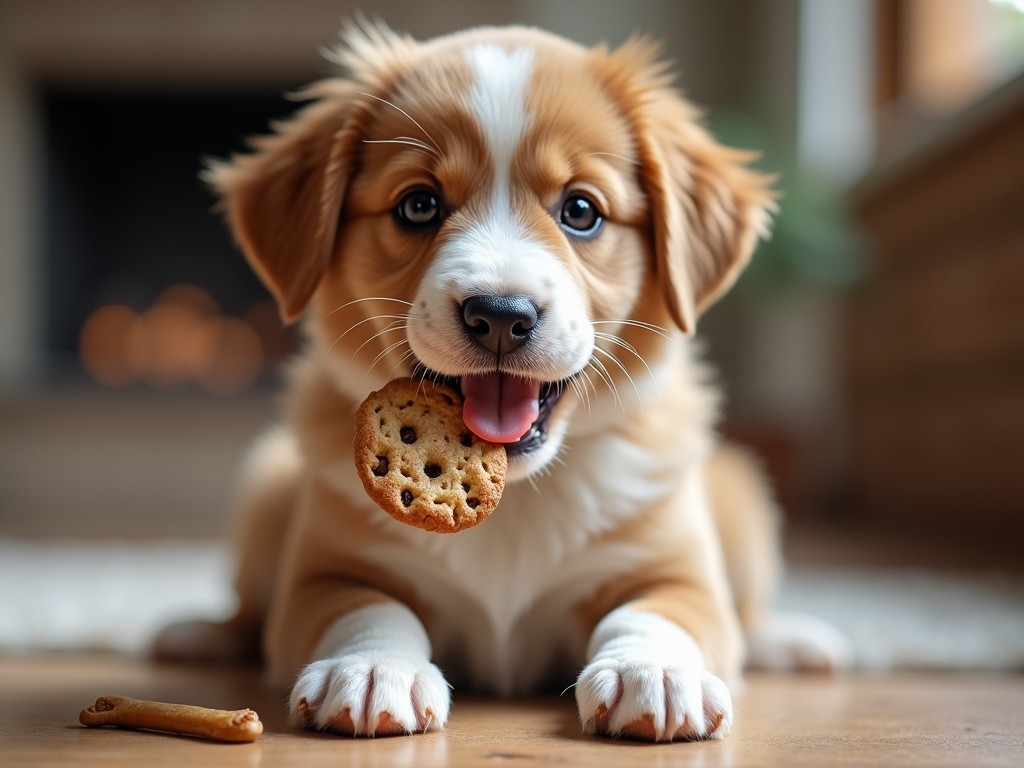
[{"x": 503, "y": 409}]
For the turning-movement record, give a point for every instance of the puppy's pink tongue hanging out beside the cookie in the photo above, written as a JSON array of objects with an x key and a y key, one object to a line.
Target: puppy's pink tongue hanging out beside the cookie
[{"x": 499, "y": 408}]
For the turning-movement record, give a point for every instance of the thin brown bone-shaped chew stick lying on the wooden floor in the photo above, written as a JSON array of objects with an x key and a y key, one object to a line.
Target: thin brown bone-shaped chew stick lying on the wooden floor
[{"x": 222, "y": 726}]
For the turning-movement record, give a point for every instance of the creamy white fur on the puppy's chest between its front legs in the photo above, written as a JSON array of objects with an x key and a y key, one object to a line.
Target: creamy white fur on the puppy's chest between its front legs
[{"x": 503, "y": 594}]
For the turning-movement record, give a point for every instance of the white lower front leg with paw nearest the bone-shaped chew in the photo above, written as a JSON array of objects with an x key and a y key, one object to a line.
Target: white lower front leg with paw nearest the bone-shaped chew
[{"x": 372, "y": 676}]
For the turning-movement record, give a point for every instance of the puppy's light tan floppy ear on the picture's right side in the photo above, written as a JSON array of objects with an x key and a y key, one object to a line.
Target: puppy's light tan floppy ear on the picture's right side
[{"x": 709, "y": 208}]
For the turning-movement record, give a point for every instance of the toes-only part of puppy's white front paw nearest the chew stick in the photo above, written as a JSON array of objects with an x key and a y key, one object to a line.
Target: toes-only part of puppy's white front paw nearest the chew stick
[{"x": 370, "y": 695}]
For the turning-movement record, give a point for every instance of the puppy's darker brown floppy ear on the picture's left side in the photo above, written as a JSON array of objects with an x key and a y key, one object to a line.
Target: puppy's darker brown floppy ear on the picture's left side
[{"x": 283, "y": 201}]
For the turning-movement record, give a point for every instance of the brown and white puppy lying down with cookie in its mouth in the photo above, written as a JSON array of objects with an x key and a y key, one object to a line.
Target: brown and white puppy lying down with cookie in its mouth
[{"x": 540, "y": 225}]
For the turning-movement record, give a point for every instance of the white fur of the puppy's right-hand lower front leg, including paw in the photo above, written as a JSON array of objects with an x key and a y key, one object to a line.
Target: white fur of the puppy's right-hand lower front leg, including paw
[{"x": 646, "y": 670}]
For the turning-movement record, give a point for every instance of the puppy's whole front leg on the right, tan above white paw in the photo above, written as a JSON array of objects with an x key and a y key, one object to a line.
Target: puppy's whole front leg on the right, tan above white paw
[{"x": 666, "y": 642}]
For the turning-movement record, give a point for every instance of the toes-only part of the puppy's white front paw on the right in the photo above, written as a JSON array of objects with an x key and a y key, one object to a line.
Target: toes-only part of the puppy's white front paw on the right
[{"x": 636, "y": 698}]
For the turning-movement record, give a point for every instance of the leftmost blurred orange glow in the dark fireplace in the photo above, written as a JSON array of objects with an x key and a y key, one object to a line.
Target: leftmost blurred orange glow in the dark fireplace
[{"x": 115, "y": 347}]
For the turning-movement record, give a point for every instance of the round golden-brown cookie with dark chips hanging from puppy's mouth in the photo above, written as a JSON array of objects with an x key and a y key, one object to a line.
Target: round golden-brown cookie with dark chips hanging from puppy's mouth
[{"x": 420, "y": 463}]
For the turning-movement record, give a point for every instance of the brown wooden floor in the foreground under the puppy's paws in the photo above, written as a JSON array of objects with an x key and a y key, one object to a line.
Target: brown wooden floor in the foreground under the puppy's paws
[{"x": 905, "y": 720}]
